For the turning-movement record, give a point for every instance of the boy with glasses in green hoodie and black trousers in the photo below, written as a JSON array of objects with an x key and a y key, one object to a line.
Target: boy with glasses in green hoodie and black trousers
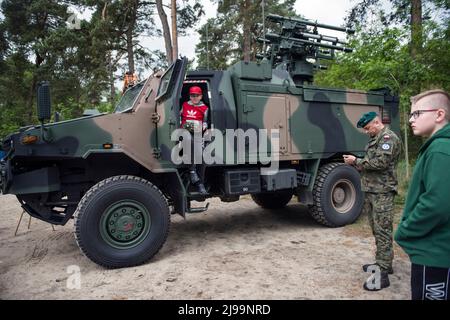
[{"x": 424, "y": 231}]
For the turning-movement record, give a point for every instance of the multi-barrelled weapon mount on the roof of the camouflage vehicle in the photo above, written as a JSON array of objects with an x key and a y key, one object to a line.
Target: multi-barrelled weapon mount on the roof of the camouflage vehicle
[{"x": 299, "y": 46}]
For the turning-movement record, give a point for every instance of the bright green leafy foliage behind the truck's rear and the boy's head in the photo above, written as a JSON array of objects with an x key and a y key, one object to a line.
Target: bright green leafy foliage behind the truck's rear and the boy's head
[{"x": 382, "y": 59}]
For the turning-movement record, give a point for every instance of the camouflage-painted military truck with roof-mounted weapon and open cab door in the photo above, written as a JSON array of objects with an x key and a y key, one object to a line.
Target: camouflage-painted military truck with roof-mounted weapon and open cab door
[{"x": 114, "y": 174}]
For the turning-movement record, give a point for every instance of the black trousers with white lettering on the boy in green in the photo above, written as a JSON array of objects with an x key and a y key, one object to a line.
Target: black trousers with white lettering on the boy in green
[{"x": 429, "y": 283}]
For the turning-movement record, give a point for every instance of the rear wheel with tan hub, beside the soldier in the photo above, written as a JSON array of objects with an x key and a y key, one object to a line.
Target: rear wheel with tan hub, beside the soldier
[{"x": 337, "y": 195}]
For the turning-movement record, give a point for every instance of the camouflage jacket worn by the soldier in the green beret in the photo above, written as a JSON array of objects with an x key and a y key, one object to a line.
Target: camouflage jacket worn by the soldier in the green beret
[{"x": 378, "y": 167}]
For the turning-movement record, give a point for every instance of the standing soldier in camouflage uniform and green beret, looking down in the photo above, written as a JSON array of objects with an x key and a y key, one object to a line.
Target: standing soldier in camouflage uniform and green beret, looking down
[{"x": 379, "y": 182}]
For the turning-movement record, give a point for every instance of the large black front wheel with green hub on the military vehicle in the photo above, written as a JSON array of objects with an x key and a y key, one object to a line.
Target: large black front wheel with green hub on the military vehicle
[{"x": 122, "y": 221}]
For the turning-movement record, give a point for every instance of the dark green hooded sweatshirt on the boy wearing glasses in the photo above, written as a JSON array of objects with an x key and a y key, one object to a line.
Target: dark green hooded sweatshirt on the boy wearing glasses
[{"x": 424, "y": 231}]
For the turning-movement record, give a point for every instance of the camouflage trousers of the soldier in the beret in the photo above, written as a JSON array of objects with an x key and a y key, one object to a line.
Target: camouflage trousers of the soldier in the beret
[{"x": 380, "y": 210}]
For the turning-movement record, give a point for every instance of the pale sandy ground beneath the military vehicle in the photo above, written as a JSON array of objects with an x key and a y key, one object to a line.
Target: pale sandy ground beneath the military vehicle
[{"x": 233, "y": 251}]
